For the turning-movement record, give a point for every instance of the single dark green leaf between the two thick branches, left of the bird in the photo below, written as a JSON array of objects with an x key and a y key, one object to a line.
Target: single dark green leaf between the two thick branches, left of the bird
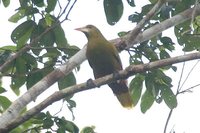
[{"x": 67, "y": 81}]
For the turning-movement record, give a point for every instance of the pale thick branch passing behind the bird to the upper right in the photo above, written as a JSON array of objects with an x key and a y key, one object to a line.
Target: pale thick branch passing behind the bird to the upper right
[{"x": 13, "y": 111}]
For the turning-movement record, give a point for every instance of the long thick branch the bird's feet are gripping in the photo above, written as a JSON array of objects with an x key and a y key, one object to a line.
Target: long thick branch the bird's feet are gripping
[{"x": 129, "y": 71}]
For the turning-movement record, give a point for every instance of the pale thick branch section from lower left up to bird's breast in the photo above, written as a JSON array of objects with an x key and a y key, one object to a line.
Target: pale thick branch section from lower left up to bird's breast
[{"x": 13, "y": 111}]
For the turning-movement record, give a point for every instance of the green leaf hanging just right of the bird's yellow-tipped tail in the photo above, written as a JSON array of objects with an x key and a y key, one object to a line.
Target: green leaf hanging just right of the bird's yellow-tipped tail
[{"x": 136, "y": 86}]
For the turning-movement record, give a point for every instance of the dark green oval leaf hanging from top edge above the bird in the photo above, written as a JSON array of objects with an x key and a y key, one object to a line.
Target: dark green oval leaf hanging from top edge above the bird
[{"x": 113, "y": 10}]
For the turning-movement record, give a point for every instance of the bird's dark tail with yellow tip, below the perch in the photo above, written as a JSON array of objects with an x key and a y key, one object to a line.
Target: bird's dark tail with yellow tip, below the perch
[{"x": 120, "y": 89}]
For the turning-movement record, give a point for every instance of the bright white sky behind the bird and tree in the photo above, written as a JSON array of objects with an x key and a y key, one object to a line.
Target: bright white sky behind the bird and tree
[{"x": 99, "y": 107}]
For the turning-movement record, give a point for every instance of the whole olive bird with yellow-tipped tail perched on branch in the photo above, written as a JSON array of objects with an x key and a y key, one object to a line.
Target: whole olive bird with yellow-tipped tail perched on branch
[{"x": 104, "y": 59}]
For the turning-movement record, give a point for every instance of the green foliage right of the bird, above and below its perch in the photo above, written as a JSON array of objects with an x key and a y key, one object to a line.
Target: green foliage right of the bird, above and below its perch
[{"x": 157, "y": 83}]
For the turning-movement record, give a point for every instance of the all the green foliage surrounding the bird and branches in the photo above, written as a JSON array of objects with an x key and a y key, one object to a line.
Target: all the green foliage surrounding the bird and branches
[{"x": 41, "y": 29}]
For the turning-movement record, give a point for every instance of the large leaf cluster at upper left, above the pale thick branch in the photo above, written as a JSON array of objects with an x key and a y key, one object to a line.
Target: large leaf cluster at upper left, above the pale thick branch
[{"x": 46, "y": 40}]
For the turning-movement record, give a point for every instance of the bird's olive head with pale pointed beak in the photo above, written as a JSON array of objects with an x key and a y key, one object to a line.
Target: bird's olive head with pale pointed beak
[{"x": 90, "y": 31}]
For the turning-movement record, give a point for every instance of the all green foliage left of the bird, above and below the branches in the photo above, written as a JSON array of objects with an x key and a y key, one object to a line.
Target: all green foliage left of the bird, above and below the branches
[{"x": 41, "y": 29}]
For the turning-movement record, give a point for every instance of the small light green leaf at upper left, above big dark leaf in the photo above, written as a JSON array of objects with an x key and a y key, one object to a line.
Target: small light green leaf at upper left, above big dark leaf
[{"x": 17, "y": 16}]
